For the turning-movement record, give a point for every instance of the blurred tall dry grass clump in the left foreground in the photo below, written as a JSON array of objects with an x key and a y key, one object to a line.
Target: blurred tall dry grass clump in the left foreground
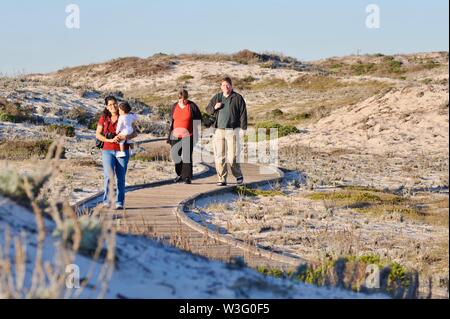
[{"x": 60, "y": 231}]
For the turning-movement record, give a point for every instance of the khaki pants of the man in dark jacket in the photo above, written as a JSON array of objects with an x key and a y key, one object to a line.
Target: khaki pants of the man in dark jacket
[{"x": 226, "y": 151}]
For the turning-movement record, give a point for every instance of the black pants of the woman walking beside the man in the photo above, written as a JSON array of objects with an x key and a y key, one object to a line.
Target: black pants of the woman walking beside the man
[{"x": 182, "y": 156}]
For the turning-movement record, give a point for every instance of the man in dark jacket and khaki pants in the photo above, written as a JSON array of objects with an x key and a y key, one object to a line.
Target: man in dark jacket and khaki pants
[{"x": 230, "y": 121}]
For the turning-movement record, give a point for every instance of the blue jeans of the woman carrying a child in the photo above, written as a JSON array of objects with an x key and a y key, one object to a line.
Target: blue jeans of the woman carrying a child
[{"x": 118, "y": 167}]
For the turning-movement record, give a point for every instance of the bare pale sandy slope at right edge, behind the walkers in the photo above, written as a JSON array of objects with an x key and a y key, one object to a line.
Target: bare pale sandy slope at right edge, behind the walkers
[{"x": 403, "y": 121}]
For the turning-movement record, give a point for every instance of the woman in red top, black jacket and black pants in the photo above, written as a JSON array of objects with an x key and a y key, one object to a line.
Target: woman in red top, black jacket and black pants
[{"x": 184, "y": 120}]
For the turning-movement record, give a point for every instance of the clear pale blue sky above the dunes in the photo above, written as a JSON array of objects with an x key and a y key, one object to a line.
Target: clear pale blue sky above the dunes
[{"x": 34, "y": 37}]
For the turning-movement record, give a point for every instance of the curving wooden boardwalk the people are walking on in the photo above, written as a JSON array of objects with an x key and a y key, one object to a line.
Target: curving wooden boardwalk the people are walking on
[{"x": 158, "y": 212}]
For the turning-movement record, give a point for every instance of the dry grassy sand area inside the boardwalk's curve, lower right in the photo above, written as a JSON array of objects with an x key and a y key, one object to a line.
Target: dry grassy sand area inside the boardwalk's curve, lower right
[{"x": 333, "y": 226}]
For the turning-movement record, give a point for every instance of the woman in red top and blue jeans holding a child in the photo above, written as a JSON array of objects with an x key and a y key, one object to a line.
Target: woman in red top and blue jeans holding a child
[{"x": 106, "y": 132}]
